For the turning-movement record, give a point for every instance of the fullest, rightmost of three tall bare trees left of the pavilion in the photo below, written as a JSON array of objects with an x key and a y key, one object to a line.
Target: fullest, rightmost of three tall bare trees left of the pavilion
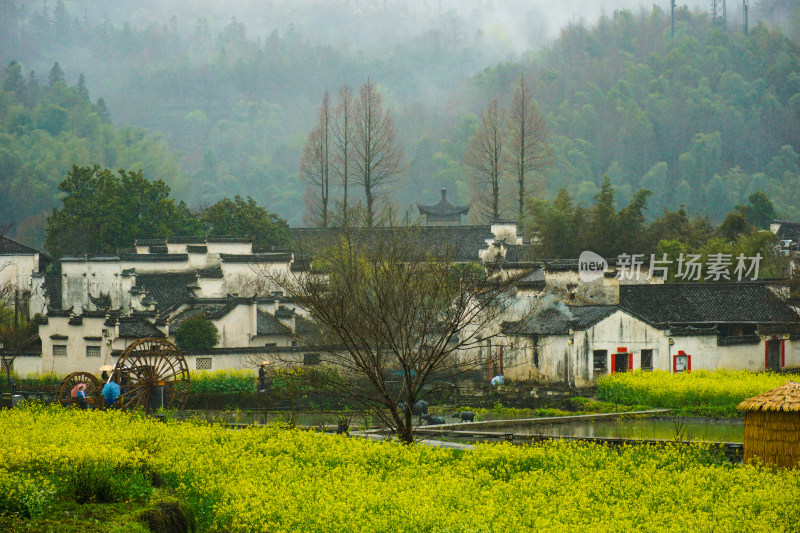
[{"x": 377, "y": 157}]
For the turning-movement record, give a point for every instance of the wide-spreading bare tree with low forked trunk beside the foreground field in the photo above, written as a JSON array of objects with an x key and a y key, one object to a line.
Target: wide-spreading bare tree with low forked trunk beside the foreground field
[{"x": 397, "y": 320}]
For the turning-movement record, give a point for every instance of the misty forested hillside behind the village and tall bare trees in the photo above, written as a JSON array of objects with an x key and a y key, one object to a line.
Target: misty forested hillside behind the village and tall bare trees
[{"x": 702, "y": 119}]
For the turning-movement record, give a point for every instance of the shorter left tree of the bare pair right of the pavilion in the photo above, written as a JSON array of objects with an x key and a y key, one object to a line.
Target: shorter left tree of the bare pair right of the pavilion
[{"x": 487, "y": 160}]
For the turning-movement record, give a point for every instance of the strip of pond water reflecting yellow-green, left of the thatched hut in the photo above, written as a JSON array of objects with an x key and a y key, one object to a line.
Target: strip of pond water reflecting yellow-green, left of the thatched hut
[{"x": 719, "y": 430}]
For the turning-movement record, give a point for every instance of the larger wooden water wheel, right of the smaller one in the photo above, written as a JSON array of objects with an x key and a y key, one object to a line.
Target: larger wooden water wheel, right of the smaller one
[{"x": 152, "y": 374}]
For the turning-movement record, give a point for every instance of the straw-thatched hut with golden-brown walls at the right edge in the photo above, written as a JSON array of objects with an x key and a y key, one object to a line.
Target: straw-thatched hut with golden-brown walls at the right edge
[{"x": 772, "y": 426}]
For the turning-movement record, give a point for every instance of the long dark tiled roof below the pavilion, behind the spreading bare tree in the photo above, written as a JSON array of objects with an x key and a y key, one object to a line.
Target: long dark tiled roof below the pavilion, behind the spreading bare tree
[{"x": 462, "y": 242}]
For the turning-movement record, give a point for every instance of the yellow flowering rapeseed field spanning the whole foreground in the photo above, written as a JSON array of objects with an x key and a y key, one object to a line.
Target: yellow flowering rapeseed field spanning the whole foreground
[{"x": 271, "y": 479}]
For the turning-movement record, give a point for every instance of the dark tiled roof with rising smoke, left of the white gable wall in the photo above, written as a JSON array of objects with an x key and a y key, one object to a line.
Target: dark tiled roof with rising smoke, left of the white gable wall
[{"x": 558, "y": 319}]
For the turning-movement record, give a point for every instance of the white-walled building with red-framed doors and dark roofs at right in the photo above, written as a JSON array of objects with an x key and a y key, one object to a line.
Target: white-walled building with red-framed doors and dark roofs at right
[{"x": 673, "y": 327}]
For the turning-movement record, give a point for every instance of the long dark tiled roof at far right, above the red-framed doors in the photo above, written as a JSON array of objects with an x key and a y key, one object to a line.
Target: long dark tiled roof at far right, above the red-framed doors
[{"x": 704, "y": 303}]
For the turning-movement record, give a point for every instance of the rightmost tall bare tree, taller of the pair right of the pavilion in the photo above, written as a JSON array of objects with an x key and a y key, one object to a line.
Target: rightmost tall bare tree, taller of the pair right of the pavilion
[{"x": 527, "y": 140}]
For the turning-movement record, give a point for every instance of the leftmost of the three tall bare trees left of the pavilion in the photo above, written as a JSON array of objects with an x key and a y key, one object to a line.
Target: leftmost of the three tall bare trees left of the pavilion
[{"x": 315, "y": 167}]
